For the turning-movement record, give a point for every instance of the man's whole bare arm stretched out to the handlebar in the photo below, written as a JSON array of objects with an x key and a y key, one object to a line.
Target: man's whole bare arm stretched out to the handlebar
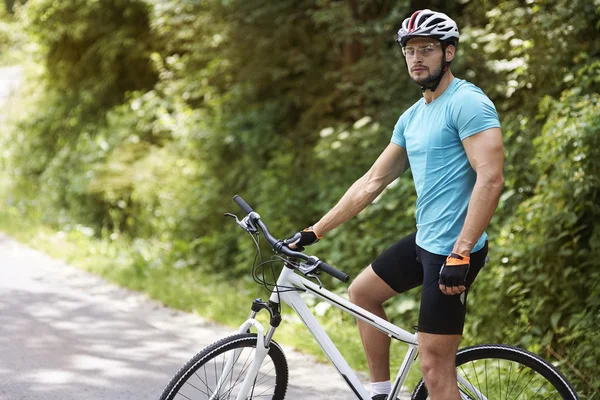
[{"x": 389, "y": 166}]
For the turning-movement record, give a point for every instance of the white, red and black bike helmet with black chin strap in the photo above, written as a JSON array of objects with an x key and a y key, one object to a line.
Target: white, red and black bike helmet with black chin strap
[{"x": 432, "y": 24}]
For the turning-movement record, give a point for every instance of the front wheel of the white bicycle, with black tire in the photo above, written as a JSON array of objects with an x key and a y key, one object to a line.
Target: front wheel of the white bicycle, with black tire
[{"x": 193, "y": 380}]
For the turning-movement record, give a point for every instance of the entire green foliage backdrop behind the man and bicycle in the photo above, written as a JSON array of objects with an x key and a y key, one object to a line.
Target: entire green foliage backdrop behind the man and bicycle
[{"x": 146, "y": 116}]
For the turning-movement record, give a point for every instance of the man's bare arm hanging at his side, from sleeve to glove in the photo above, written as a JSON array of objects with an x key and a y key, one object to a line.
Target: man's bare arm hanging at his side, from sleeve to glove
[{"x": 486, "y": 155}]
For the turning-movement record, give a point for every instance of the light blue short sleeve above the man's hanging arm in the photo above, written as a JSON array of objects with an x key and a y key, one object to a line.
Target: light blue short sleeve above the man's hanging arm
[{"x": 474, "y": 112}]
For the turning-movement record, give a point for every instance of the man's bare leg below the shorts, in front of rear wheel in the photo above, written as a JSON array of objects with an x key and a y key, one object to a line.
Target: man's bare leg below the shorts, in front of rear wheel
[{"x": 438, "y": 365}]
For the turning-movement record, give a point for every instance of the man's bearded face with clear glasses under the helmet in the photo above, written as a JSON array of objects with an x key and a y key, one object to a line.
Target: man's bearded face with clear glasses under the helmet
[{"x": 424, "y": 58}]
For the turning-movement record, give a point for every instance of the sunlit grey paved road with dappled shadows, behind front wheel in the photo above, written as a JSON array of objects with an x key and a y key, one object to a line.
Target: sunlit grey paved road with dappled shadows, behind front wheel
[{"x": 66, "y": 334}]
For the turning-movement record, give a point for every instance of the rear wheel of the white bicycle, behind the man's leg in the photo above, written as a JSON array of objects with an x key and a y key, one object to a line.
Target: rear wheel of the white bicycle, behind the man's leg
[{"x": 523, "y": 374}]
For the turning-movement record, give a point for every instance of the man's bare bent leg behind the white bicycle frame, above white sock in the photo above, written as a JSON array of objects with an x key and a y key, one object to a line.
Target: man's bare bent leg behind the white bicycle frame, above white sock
[{"x": 369, "y": 291}]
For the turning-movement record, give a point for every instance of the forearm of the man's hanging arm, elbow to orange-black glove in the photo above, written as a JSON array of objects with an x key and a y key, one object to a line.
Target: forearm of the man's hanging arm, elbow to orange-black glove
[{"x": 482, "y": 206}]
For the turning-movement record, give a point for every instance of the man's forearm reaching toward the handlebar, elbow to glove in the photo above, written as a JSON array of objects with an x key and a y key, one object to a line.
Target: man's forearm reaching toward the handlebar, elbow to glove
[{"x": 360, "y": 195}]
